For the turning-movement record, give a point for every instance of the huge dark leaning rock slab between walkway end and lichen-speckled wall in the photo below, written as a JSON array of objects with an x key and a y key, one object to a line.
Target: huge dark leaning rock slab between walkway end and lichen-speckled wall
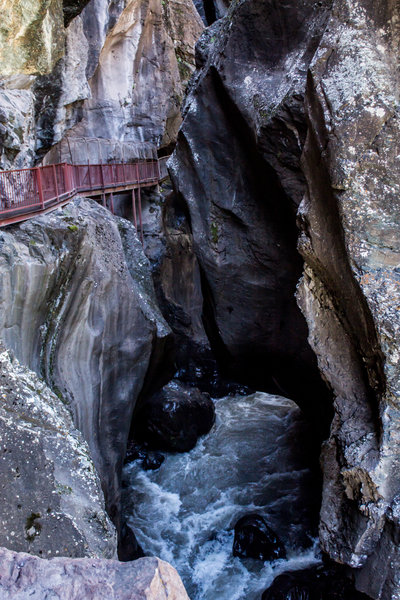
[{"x": 242, "y": 190}]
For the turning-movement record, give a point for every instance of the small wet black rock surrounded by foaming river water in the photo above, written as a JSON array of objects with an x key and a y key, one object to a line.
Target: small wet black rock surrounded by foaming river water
[{"x": 255, "y": 539}]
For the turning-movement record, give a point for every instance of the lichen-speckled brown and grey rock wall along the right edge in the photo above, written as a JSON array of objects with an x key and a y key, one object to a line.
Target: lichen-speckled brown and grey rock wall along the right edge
[{"x": 350, "y": 292}]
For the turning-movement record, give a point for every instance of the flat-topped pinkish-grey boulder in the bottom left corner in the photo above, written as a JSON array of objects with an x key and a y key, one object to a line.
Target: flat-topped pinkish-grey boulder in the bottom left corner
[{"x": 23, "y": 577}]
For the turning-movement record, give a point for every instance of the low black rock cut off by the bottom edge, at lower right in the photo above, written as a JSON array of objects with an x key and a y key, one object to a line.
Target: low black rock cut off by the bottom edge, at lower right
[{"x": 316, "y": 583}]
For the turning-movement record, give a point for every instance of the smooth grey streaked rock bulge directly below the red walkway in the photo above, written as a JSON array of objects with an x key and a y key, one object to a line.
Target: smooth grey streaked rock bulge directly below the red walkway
[{"x": 78, "y": 307}]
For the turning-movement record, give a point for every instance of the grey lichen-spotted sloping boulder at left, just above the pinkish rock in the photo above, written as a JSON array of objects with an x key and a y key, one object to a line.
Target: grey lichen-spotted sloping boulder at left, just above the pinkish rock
[{"x": 50, "y": 494}]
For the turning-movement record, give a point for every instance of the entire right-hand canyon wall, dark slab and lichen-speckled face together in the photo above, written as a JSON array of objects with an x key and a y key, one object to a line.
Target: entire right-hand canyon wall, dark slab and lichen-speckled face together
[{"x": 293, "y": 114}]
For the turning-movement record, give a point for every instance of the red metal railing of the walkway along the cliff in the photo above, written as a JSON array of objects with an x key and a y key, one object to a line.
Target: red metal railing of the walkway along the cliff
[{"x": 24, "y": 192}]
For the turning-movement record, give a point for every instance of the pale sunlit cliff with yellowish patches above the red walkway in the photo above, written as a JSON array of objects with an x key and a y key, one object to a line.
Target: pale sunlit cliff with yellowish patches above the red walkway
[{"x": 117, "y": 70}]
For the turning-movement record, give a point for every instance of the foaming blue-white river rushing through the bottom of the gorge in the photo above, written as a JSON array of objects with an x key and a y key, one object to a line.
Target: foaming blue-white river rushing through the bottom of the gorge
[{"x": 255, "y": 459}]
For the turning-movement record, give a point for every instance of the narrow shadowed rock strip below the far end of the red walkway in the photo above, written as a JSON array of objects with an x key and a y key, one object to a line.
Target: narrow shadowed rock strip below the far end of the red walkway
[{"x": 168, "y": 244}]
